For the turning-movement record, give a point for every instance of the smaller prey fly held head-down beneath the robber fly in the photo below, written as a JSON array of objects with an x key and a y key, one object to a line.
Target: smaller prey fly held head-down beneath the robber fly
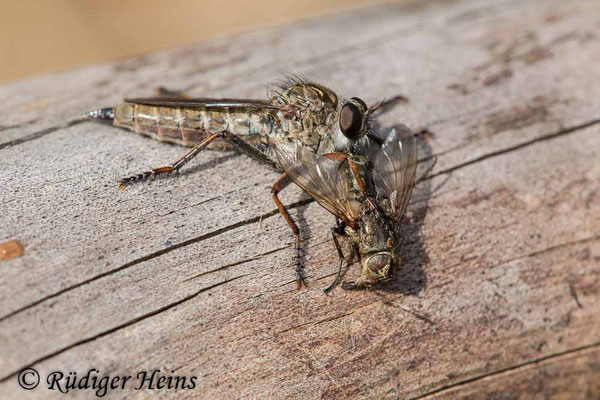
[{"x": 369, "y": 194}]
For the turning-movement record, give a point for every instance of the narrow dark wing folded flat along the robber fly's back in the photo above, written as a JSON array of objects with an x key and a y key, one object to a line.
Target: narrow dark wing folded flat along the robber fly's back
[{"x": 202, "y": 103}]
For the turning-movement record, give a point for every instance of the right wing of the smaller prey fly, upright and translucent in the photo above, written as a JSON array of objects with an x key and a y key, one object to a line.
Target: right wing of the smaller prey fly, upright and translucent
[{"x": 394, "y": 170}]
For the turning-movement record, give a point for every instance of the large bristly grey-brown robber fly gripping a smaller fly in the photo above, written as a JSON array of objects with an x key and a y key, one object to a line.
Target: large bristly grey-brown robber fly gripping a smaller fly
[{"x": 298, "y": 112}]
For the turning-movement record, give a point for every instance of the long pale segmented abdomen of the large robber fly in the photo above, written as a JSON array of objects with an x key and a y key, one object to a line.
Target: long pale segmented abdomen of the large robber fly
[{"x": 190, "y": 126}]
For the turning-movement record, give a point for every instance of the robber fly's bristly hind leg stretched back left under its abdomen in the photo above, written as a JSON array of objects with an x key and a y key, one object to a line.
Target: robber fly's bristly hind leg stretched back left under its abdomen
[{"x": 241, "y": 146}]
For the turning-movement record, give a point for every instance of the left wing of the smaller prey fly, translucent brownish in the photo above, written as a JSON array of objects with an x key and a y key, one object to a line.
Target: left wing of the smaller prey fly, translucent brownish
[{"x": 327, "y": 180}]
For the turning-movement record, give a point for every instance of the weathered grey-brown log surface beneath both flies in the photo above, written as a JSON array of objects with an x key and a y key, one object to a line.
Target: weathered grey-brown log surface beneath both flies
[{"x": 499, "y": 295}]
